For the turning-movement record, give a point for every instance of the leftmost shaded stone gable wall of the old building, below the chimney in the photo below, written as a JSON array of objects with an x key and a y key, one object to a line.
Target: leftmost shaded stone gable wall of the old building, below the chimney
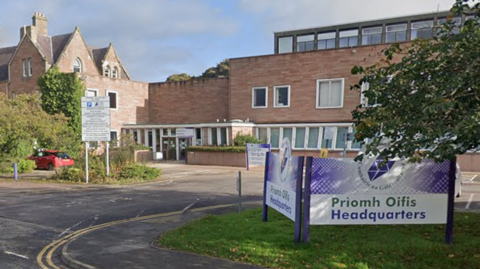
[{"x": 18, "y": 83}]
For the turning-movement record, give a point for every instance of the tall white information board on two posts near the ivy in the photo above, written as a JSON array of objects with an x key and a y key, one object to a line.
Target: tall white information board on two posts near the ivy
[{"x": 96, "y": 118}]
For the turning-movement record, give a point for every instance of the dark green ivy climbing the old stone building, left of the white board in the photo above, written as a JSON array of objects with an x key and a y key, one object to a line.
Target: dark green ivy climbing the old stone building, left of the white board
[{"x": 61, "y": 93}]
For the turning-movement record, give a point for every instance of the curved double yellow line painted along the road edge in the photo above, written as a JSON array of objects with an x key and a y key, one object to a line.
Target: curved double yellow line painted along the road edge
[{"x": 47, "y": 252}]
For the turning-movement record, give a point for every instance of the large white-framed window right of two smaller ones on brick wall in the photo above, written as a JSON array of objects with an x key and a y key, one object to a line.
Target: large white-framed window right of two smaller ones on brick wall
[{"x": 330, "y": 93}]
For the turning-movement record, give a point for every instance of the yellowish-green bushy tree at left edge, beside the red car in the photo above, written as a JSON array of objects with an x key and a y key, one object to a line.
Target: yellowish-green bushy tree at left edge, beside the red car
[{"x": 24, "y": 124}]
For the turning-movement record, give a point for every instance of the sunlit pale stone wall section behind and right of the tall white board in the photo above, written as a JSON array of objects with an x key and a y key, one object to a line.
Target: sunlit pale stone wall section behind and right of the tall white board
[{"x": 132, "y": 99}]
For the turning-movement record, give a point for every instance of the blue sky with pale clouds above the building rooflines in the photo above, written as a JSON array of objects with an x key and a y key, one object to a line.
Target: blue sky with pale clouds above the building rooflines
[{"x": 157, "y": 38}]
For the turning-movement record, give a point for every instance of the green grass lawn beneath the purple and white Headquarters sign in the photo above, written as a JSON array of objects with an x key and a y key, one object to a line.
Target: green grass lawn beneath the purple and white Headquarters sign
[{"x": 244, "y": 237}]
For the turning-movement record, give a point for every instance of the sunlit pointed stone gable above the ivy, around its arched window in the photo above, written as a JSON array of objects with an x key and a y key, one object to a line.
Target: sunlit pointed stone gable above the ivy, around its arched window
[{"x": 77, "y": 48}]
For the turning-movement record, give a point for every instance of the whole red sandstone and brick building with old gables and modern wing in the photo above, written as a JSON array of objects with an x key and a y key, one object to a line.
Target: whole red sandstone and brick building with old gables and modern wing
[{"x": 302, "y": 91}]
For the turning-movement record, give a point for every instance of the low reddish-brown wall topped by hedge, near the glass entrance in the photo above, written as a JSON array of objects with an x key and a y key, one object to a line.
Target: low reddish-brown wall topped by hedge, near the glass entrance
[{"x": 217, "y": 158}]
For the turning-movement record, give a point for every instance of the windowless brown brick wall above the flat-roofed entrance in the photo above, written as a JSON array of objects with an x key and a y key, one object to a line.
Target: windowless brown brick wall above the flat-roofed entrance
[{"x": 195, "y": 101}]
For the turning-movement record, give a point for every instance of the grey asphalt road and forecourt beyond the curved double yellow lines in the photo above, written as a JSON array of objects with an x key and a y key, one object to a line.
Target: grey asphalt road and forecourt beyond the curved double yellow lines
[{"x": 34, "y": 215}]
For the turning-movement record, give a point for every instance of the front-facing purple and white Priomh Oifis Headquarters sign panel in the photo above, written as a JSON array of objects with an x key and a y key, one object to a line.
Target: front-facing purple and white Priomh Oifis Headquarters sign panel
[{"x": 346, "y": 192}]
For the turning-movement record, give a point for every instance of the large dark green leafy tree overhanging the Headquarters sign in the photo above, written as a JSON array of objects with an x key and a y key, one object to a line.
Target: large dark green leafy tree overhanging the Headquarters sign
[{"x": 425, "y": 97}]
